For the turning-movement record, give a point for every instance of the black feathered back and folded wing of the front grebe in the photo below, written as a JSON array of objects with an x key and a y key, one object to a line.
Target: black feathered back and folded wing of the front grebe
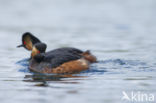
[{"x": 58, "y": 56}]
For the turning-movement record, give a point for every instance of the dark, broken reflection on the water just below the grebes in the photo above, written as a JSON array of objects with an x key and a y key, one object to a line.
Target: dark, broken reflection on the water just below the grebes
[{"x": 43, "y": 79}]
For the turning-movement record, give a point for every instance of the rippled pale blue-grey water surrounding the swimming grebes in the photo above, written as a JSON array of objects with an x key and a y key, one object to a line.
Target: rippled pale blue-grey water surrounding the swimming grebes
[{"x": 121, "y": 33}]
